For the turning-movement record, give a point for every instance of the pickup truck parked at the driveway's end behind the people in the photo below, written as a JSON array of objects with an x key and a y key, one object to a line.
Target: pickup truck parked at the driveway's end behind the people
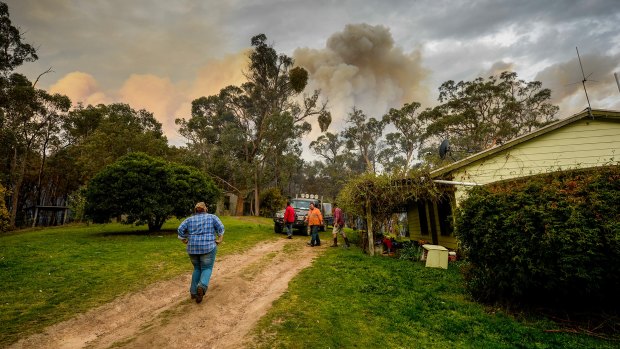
[{"x": 301, "y": 206}]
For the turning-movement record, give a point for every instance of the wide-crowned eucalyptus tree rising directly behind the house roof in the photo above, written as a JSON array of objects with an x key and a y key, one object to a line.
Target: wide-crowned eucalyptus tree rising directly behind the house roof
[{"x": 476, "y": 114}]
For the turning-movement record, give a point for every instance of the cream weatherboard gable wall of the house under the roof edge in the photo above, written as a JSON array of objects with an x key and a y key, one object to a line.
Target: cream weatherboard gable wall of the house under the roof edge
[{"x": 585, "y": 143}]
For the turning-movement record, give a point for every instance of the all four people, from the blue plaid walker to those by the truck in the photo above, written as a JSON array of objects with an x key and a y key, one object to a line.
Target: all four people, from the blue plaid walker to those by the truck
[{"x": 203, "y": 232}]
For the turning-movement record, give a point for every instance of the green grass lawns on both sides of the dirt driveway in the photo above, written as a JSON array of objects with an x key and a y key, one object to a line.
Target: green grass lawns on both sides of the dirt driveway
[{"x": 344, "y": 300}]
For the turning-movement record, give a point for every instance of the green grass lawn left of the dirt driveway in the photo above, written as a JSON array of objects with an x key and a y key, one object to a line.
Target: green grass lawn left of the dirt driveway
[{"x": 49, "y": 275}]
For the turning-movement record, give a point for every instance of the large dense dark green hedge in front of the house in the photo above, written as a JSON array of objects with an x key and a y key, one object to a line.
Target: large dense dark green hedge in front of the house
[{"x": 549, "y": 238}]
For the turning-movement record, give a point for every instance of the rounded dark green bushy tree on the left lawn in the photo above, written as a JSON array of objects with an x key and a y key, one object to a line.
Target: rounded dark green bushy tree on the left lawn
[{"x": 147, "y": 190}]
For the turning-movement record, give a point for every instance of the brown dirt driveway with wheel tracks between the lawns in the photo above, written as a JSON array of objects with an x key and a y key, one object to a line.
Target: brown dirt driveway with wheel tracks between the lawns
[{"x": 242, "y": 289}]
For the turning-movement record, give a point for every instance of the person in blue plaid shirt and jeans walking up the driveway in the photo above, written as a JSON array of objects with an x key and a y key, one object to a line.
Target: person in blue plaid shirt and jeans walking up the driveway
[{"x": 201, "y": 232}]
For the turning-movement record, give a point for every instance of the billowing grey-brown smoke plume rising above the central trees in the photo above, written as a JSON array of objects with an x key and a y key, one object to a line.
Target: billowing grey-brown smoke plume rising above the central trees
[{"x": 362, "y": 67}]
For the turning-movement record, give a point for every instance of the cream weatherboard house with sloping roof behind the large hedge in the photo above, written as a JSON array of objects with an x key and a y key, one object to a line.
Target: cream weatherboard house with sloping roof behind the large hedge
[{"x": 587, "y": 139}]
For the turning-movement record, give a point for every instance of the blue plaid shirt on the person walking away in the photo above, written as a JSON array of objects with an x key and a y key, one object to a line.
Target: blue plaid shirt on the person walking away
[{"x": 201, "y": 230}]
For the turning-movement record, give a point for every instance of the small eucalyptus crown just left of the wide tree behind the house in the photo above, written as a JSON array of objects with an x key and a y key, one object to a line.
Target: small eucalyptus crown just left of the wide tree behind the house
[{"x": 404, "y": 145}]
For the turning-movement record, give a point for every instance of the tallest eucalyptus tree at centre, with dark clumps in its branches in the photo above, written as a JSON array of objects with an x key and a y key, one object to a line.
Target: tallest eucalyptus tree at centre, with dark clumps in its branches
[{"x": 264, "y": 113}]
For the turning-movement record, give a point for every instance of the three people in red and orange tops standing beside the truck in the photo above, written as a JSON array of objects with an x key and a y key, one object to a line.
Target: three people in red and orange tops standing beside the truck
[{"x": 315, "y": 220}]
